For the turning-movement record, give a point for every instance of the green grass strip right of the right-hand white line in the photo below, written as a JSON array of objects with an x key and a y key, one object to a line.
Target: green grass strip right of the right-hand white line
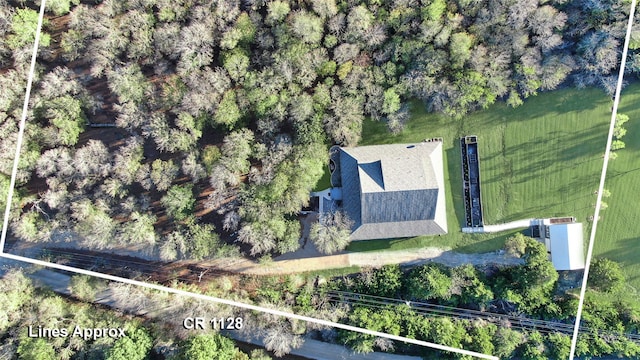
[{"x": 618, "y": 233}]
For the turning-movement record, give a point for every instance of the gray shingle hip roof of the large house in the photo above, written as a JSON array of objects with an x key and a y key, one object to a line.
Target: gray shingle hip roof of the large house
[{"x": 394, "y": 190}]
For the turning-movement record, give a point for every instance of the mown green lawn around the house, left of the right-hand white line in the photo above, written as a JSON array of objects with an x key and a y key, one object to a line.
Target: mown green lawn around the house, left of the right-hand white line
[{"x": 541, "y": 159}]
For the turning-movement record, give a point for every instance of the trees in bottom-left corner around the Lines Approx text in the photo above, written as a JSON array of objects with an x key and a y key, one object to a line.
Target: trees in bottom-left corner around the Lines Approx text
[{"x": 25, "y": 305}]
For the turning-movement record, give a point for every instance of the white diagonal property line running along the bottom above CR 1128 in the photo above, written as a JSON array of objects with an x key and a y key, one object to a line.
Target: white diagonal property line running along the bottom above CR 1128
[{"x": 246, "y": 306}]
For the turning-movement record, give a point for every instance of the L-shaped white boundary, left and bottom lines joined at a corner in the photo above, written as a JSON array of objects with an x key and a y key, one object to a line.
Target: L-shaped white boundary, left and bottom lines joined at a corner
[{"x": 165, "y": 288}]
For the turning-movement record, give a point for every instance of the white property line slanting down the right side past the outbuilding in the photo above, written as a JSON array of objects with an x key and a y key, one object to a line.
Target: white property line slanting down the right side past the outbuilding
[{"x": 603, "y": 175}]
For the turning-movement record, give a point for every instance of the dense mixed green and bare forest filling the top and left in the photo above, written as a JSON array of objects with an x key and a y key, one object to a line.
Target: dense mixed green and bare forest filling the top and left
[{"x": 167, "y": 123}]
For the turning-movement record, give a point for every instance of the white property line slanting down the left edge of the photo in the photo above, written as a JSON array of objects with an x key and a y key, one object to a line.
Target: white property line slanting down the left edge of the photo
[{"x": 21, "y": 127}]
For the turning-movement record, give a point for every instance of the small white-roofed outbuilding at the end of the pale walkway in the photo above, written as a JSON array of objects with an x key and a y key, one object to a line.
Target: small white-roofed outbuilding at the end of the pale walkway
[{"x": 563, "y": 238}]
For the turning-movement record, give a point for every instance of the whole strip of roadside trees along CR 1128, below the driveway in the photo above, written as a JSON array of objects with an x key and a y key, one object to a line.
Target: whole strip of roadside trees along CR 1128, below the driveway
[{"x": 523, "y": 312}]
